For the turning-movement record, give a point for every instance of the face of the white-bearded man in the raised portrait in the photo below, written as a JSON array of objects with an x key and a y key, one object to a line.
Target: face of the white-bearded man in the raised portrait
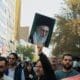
[{"x": 43, "y": 30}]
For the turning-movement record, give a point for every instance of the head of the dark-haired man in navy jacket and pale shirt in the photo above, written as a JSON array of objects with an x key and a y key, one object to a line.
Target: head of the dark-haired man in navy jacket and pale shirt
[{"x": 12, "y": 59}]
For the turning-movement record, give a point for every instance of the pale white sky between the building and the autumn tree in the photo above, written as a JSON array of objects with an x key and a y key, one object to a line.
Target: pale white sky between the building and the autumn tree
[{"x": 46, "y": 7}]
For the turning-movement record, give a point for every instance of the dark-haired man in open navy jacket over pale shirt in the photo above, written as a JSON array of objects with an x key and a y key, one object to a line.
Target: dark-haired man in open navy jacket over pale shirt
[{"x": 15, "y": 67}]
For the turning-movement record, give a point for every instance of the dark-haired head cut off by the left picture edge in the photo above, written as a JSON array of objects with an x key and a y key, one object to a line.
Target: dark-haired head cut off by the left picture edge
[{"x": 3, "y": 65}]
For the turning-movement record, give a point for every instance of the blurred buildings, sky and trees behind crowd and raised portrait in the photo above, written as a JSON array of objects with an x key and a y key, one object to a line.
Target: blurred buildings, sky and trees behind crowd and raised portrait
[{"x": 16, "y": 18}]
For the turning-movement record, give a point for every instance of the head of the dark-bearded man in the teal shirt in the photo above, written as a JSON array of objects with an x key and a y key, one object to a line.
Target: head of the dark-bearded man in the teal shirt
[{"x": 67, "y": 61}]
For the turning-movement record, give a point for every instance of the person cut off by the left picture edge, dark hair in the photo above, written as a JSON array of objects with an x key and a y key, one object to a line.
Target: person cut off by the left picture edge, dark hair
[{"x": 3, "y": 65}]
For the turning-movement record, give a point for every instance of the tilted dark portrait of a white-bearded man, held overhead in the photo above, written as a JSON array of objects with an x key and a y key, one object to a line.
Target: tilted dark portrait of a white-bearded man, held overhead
[{"x": 42, "y": 29}]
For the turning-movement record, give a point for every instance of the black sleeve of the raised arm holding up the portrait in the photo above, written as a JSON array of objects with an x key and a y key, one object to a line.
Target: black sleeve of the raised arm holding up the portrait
[{"x": 48, "y": 71}]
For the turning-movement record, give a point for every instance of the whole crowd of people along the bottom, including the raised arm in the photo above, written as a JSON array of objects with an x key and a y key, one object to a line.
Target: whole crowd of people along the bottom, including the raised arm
[{"x": 52, "y": 68}]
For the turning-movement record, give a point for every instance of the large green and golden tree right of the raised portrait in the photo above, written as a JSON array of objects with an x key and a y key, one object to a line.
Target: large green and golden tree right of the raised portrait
[{"x": 68, "y": 29}]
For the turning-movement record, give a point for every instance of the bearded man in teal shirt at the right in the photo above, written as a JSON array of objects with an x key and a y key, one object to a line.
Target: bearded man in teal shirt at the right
[{"x": 67, "y": 70}]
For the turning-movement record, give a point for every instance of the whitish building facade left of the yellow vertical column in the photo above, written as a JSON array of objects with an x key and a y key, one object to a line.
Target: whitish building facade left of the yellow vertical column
[{"x": 7, "y": 23}]
